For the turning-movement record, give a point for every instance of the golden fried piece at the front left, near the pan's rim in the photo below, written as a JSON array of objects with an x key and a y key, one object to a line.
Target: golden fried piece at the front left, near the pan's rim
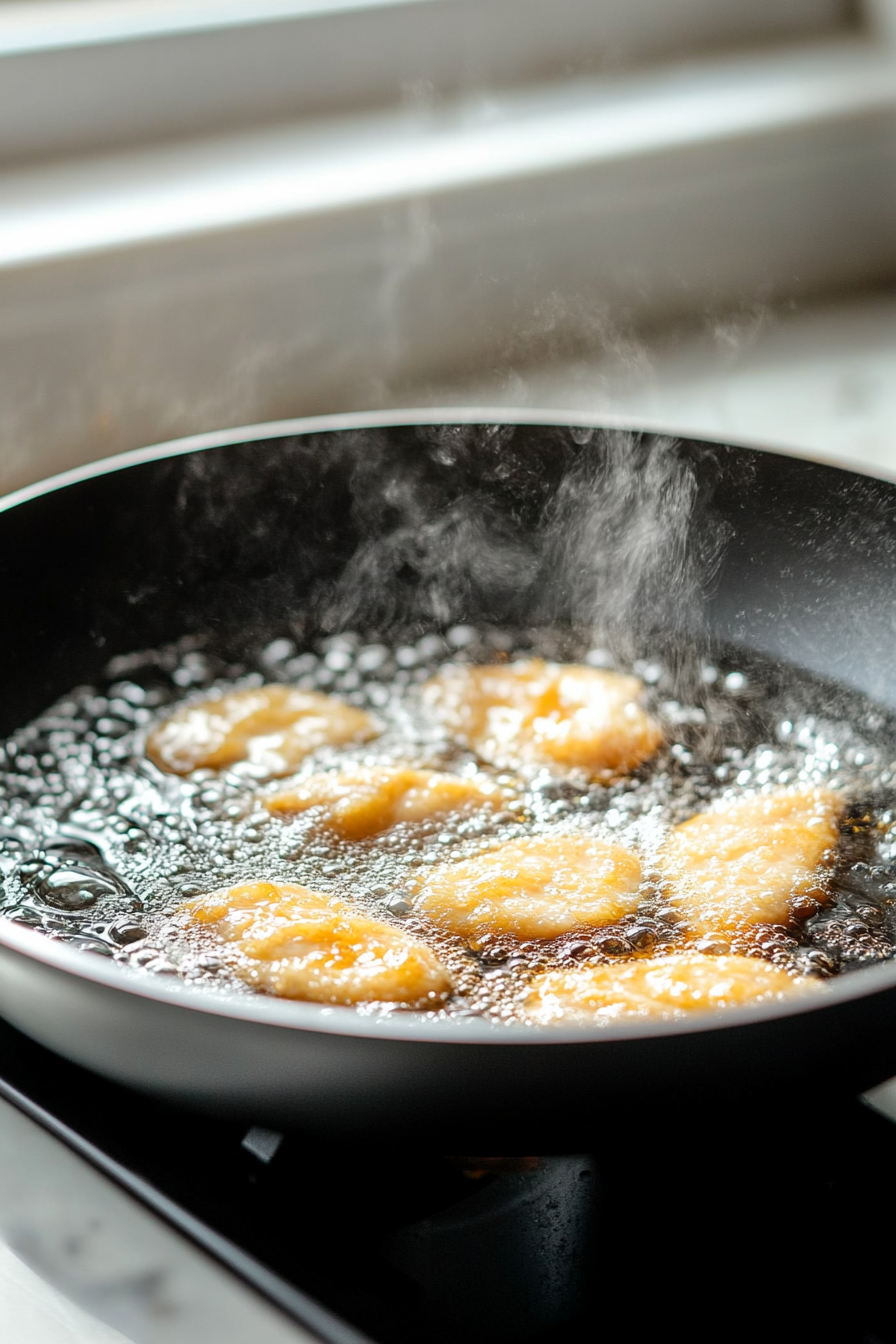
[{"x": 302, "y": 944}]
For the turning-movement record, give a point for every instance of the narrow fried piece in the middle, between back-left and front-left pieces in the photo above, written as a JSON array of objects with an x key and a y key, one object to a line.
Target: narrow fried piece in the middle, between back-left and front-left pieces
[{"x": 365, "y": 802}]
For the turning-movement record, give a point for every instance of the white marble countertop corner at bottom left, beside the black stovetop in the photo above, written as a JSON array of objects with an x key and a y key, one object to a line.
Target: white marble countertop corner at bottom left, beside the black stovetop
[{"x": 83, "y": 1263}]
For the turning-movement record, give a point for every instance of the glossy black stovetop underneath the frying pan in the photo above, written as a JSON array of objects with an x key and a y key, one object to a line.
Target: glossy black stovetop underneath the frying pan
[{"x": 772, "y": 1224}]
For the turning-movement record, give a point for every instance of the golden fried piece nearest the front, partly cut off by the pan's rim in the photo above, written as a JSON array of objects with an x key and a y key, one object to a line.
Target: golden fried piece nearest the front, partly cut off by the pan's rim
[{"x": 664, "y": 987}]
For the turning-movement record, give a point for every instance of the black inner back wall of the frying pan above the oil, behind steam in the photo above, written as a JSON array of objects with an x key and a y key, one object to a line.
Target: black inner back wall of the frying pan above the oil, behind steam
[{"x": 398, "y": 530}]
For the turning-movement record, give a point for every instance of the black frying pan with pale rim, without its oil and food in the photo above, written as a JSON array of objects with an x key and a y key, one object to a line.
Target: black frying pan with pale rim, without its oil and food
[{"x": 232, "y": 534}]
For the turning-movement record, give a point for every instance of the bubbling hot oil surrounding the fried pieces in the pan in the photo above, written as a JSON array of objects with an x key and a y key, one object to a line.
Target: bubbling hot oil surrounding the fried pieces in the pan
[{"x": 100, "y": 849}]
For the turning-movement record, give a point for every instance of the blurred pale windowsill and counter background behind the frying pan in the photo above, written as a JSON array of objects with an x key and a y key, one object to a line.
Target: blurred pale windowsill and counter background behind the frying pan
[{"x": 216, "y": 213}]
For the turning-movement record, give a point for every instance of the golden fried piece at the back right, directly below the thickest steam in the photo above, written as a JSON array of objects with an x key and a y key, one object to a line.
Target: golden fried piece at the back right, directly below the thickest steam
[{"x": 547, "y": 713}]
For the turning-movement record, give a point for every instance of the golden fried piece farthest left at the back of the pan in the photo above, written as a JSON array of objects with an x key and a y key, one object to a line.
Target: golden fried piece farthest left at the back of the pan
[{"x": 272, "y": 726}]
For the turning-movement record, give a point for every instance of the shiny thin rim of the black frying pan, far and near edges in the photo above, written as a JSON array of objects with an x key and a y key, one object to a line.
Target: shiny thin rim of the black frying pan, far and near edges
[{"x": 338, "y": 1021}]
